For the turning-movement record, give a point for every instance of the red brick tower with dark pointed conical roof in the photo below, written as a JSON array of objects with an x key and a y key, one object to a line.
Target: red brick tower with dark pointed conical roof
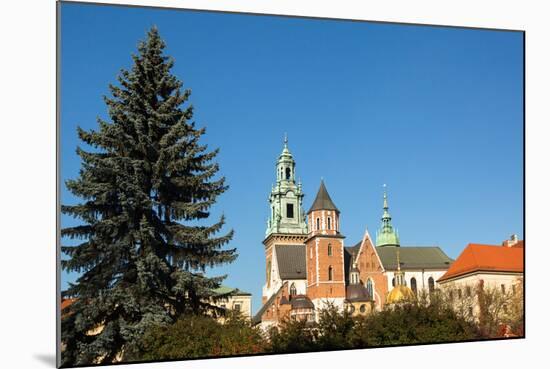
[{"x": 325, "y": 252}]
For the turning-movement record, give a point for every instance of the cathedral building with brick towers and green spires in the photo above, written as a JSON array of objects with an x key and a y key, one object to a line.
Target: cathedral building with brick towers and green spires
[{"x": 308, "y": 266}]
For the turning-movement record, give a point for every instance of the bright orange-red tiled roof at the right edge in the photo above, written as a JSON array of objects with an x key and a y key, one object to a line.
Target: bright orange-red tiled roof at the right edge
[{"x": 489, "y": 258}]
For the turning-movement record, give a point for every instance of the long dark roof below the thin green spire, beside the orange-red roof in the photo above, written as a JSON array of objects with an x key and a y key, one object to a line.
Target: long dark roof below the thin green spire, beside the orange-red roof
[{"x": 429, "y": 257}]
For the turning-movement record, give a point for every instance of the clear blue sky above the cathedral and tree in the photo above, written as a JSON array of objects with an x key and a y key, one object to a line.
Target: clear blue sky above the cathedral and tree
[{"x": 436, "y": 113}]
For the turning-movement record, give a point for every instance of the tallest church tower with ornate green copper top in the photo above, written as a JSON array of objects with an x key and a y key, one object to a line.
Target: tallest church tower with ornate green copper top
[{"x": 286, "y": 225}]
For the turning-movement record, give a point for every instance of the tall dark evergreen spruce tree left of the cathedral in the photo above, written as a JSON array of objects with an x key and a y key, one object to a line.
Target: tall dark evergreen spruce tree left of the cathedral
[{"x": 145, "y": 185}]
